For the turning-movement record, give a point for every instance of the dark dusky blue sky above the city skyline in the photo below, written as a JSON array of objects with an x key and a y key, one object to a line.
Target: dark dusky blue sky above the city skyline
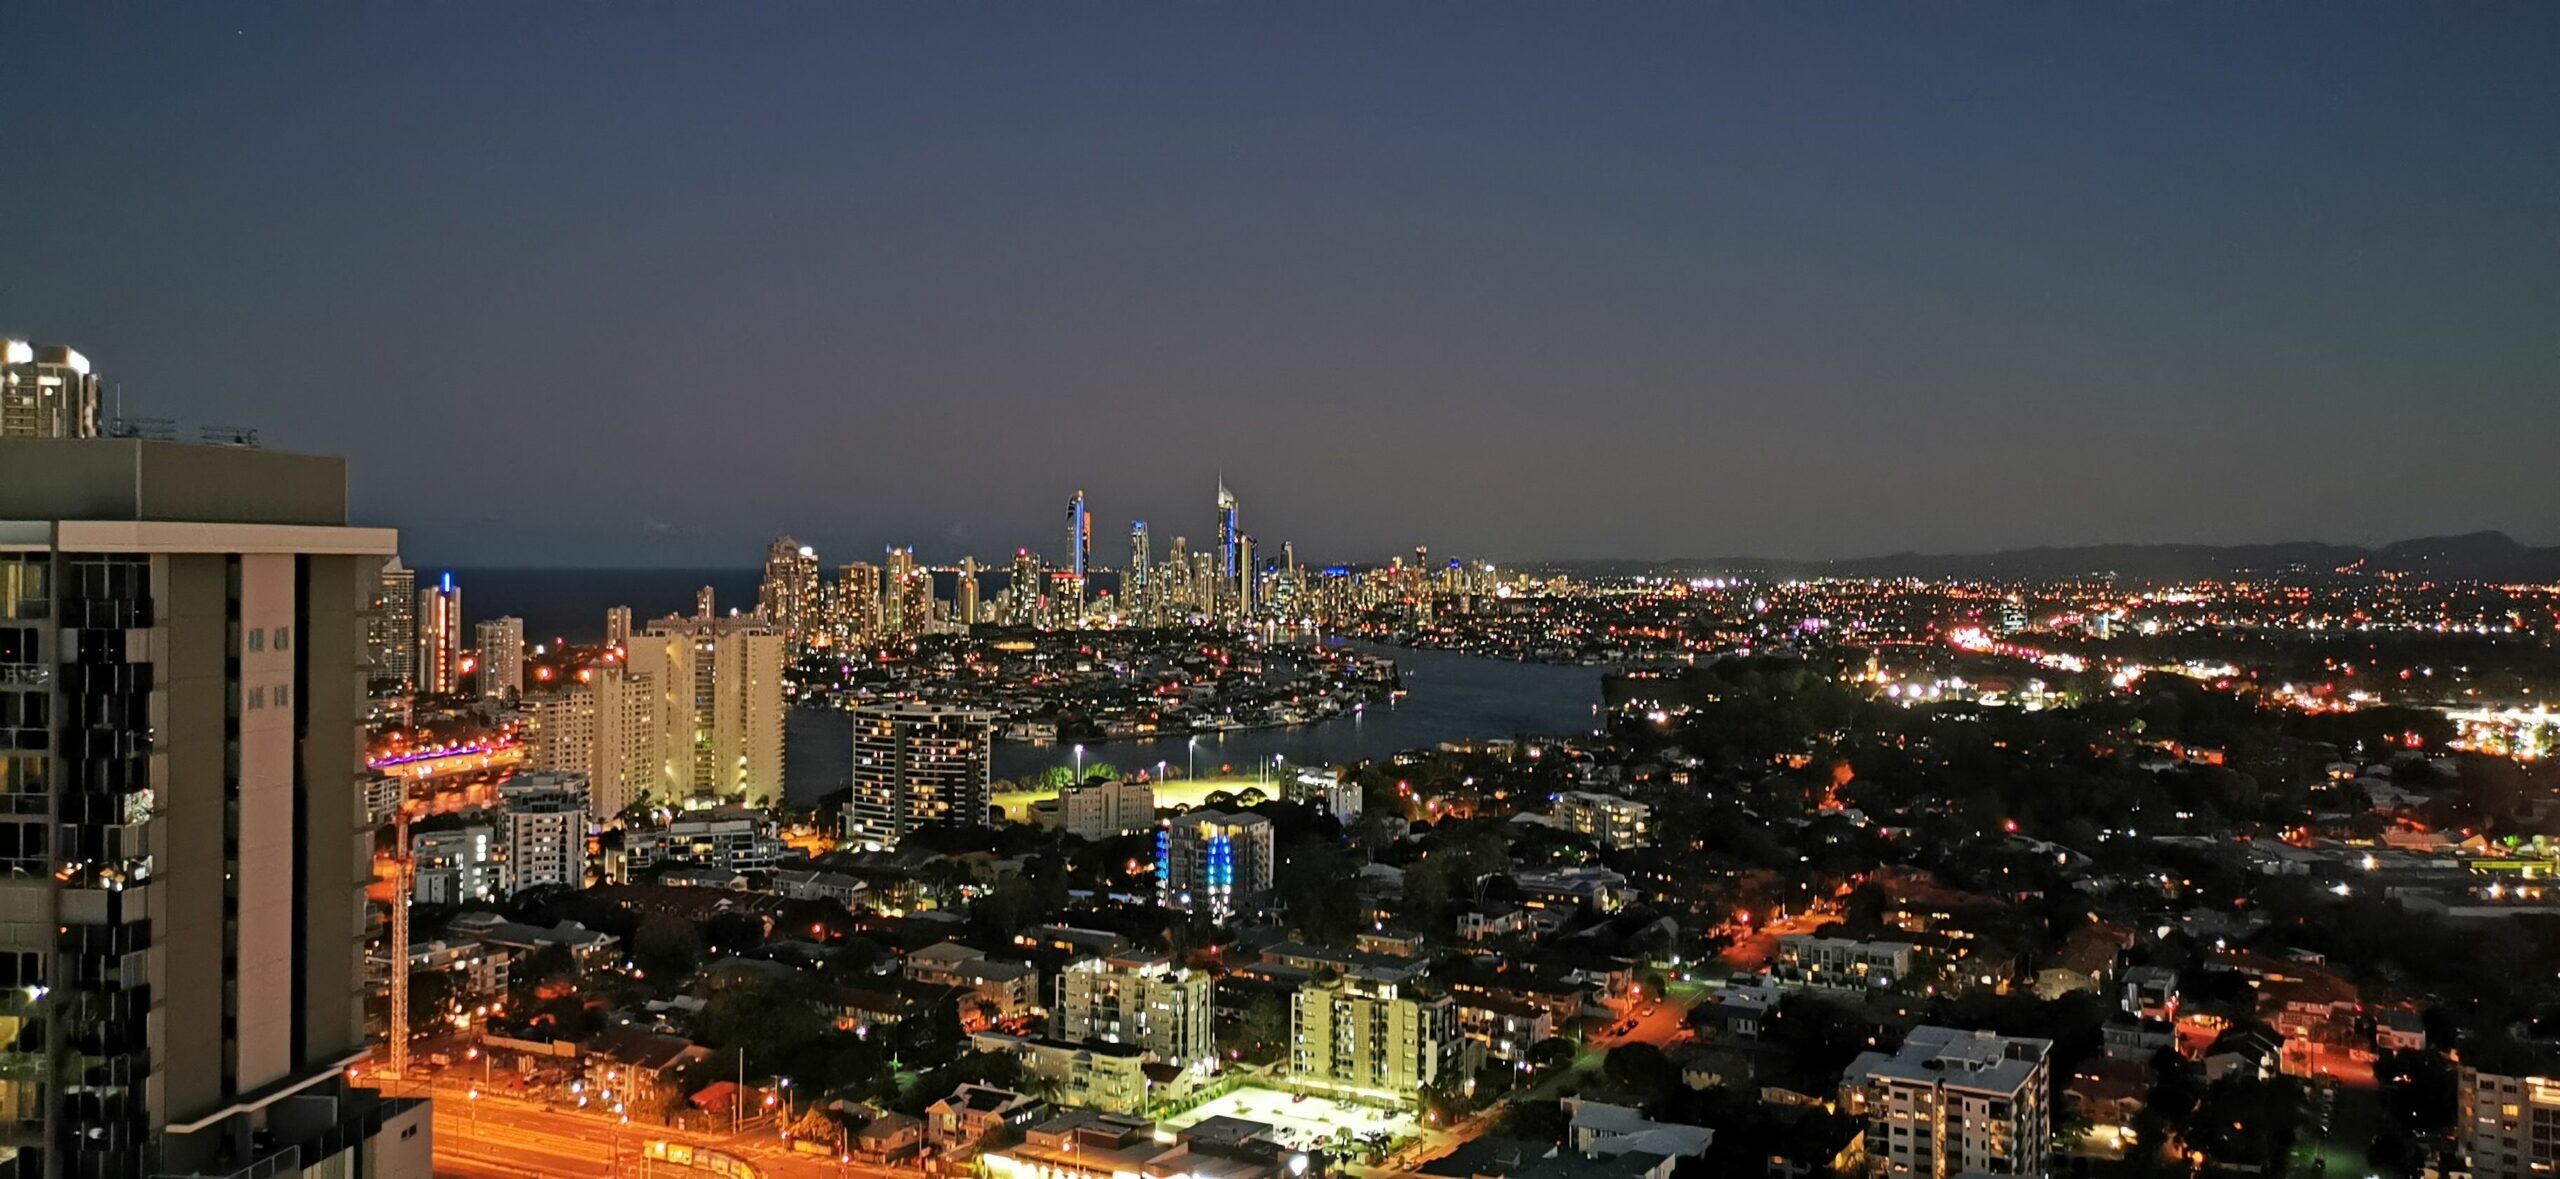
[{"x": 588, "y": 283}]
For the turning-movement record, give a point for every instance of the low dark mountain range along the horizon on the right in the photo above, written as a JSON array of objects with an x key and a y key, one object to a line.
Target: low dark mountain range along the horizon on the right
[{"x": 2474, "y": 556}]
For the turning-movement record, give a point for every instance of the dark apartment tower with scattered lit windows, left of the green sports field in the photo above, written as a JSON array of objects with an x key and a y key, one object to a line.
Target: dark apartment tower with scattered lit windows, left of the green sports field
[{"x": 918, "y": 766}]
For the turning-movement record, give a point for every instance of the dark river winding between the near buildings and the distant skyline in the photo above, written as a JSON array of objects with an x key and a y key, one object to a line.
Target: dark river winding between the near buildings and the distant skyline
[{"x": 1448, "y": 697}]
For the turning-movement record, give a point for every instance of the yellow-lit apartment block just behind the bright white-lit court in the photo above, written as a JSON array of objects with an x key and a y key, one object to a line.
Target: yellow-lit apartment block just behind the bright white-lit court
[{"x": 1373, "y": 1040}]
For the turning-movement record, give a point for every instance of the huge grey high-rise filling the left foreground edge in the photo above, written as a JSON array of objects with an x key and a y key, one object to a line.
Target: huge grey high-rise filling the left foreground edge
[{"x": 186, "y": 891}]
